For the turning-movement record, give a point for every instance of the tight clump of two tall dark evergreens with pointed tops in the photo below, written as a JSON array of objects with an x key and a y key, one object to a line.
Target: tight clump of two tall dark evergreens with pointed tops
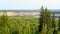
[{"x": 45, "y": 21}]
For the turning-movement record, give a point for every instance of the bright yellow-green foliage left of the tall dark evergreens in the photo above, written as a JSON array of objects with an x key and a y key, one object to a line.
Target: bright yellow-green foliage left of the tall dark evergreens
[{"x": 18, "y": 25}]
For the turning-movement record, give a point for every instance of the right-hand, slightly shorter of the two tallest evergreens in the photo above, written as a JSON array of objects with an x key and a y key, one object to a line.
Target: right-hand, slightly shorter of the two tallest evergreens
[{"x": 48, "y": 20}]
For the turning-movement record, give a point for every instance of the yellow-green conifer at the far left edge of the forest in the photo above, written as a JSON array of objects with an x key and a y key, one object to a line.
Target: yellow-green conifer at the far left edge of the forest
[{"x": 4, "y": 27}]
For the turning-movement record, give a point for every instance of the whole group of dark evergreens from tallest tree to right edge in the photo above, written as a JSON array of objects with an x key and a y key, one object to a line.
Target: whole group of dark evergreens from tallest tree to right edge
[{"x": 48, "y": 24}]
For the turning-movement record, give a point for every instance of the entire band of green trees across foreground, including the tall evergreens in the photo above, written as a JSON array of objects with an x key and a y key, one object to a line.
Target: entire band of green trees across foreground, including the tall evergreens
[{"x": 19, "y": 25}]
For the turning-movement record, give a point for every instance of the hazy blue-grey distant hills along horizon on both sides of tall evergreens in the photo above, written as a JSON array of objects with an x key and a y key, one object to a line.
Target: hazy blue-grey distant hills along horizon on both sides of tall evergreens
[{"x": 52, "y": 10}]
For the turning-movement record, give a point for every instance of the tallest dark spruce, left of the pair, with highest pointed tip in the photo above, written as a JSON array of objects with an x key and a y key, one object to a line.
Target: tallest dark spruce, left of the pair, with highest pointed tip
[{"x": 42, "y": 26}]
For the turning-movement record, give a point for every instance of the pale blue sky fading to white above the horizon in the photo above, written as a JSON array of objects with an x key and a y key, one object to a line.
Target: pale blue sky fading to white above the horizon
[{"x": 28, "y": 4}]
